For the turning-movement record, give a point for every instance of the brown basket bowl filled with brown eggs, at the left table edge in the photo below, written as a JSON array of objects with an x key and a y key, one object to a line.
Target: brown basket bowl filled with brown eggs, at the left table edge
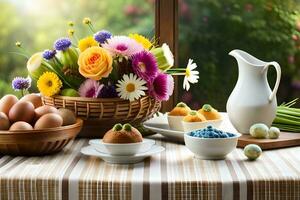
[{"x": 29, "y": 128}]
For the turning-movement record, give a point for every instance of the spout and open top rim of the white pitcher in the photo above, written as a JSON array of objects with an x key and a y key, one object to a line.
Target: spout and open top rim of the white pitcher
[{"x": 243, "y": 56}]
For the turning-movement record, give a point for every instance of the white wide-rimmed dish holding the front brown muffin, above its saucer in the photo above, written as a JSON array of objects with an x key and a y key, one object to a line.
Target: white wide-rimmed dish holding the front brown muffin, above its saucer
[{"x": 122, "y": 149}]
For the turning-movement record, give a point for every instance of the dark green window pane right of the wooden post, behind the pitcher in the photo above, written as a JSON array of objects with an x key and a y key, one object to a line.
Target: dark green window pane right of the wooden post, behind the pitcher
[{"x": 209, "y": 30}]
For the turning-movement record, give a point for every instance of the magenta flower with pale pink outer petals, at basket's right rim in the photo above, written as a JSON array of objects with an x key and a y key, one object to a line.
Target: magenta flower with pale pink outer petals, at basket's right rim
[{"x": 161, "y": 87}]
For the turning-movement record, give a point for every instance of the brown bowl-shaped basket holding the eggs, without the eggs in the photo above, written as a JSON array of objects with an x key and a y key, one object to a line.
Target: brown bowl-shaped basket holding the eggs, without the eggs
[{"x": 38, "y": 142}]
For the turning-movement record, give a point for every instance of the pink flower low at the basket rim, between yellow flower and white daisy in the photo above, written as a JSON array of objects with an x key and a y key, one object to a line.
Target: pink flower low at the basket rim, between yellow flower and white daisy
[{"x": 90, "y": 88}]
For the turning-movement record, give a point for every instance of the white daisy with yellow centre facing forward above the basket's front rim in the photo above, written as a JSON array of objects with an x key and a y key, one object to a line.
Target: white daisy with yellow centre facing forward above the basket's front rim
[{"x": 131, "y": 87}]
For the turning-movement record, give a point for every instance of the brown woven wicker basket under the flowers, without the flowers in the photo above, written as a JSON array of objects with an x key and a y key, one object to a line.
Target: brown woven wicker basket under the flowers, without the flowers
[{"x": 100, "y": 115}]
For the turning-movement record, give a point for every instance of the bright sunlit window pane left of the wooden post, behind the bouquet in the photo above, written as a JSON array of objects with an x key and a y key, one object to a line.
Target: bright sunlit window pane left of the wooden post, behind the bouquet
[{"x": 38, "y": 23}]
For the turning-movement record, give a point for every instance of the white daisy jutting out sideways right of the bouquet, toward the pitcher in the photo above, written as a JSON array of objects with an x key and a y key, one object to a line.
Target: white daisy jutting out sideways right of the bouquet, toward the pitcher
[{"x": 191, "y": 75}]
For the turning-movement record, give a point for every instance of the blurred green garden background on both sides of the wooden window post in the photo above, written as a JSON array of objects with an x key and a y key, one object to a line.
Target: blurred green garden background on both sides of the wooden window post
[{"x": 208, "y": 30}]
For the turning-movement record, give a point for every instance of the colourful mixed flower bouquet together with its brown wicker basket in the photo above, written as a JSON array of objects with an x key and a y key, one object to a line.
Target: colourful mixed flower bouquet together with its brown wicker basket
[{"x": 107, "y": 79}]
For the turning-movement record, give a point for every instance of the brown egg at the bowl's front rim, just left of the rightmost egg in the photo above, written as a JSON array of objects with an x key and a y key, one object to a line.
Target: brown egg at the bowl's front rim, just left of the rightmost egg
[{"x": 50, "y": 120}]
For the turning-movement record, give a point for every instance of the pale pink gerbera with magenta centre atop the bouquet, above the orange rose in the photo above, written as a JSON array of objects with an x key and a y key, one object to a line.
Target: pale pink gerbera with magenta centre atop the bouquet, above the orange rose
[{"x": 122, "y": 46}]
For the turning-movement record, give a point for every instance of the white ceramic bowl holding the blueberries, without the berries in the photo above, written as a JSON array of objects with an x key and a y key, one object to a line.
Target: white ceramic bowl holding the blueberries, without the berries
[{"x": 211, "y": 148}]
